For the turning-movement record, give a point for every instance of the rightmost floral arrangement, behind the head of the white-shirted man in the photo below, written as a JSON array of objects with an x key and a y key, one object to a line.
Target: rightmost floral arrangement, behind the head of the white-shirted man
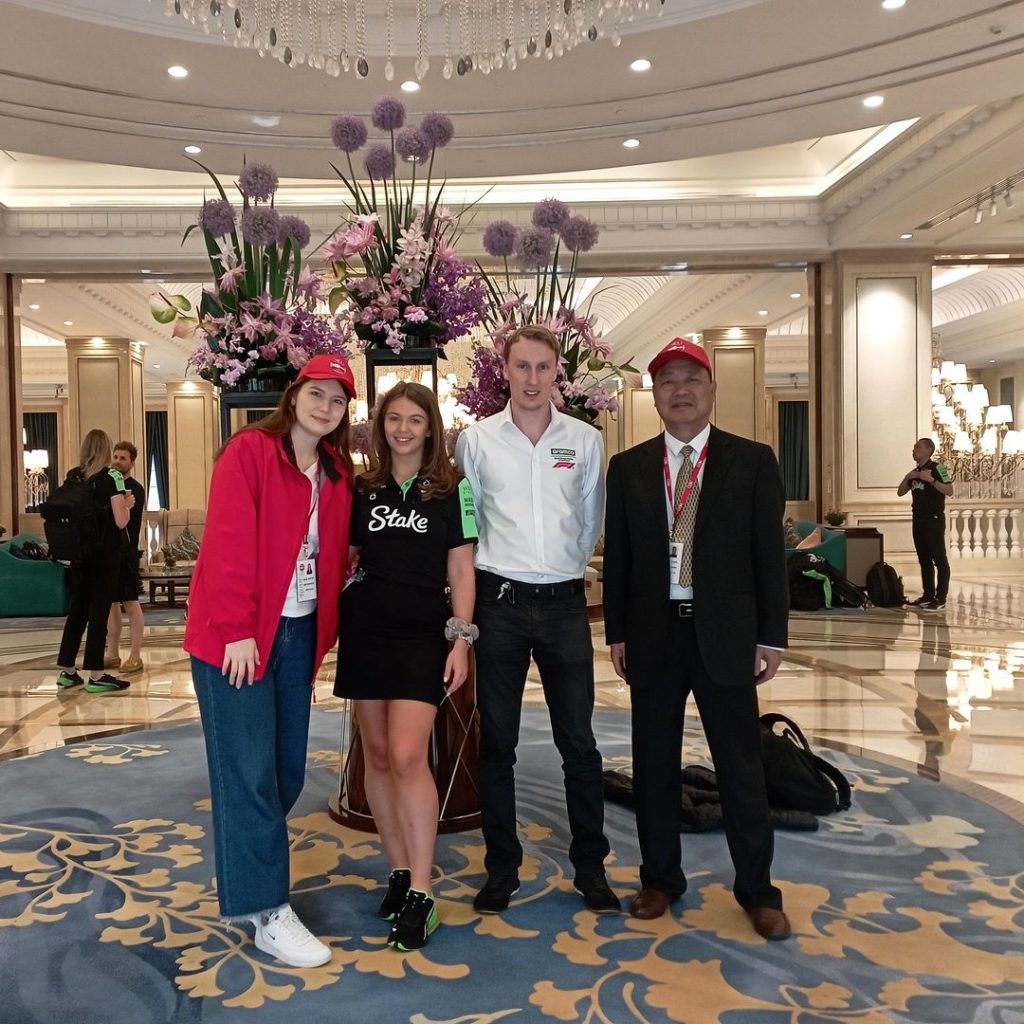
[{"x": 587, "y": 382}]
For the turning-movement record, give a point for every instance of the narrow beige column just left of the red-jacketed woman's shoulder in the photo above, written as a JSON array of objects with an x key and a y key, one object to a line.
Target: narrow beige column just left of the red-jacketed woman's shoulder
[{"x": 193, "y": 441}]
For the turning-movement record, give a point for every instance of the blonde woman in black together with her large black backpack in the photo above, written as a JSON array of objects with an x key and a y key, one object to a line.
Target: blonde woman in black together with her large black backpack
[{"x": 86, "y": 521}]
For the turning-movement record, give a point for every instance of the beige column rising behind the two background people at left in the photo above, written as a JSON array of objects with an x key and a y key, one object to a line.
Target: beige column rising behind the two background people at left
[{"x": 106, "y": 385}]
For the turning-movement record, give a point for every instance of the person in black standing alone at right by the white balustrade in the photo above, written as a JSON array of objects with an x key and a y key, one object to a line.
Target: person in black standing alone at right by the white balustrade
[{"x": 930, "y": 485}]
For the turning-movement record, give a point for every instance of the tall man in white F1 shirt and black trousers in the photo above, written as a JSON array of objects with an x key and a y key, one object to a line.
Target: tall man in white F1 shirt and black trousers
[{"x": 537, "y": 477}]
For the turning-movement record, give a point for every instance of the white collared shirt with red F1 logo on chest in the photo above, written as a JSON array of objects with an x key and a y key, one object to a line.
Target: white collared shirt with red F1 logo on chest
[{"x": 539, "y": 507}]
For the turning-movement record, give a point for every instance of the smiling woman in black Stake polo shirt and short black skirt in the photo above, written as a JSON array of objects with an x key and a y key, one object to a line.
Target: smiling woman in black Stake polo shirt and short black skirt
[{"x": 414, "y": 527}]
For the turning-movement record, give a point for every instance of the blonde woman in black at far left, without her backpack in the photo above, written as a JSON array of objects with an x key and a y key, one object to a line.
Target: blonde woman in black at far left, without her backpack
[{"x": 94, "y": 578}]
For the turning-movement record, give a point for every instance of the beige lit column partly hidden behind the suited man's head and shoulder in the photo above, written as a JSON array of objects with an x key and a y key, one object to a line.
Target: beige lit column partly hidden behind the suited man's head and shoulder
[{"x": 738, "y": 356}]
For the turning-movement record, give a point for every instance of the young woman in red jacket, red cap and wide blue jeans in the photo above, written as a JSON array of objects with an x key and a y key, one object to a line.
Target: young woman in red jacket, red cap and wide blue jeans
[{"x": 263, "y": 614}]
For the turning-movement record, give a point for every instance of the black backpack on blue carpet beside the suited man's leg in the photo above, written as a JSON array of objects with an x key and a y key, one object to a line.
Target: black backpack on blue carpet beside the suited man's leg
[{"x": 796, "y": 778}]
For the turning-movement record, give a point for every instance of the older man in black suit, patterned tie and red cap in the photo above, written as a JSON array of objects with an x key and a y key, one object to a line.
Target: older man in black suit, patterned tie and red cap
[{"x": 696, "y": 603}]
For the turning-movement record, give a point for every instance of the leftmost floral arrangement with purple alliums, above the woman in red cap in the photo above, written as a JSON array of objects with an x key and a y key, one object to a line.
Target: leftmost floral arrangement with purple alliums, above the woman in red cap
[{"x": 259, "y": 320}]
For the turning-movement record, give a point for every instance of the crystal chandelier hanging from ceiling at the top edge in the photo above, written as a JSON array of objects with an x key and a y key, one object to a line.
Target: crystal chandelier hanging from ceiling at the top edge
[{"x": 474, "y": 35}]
